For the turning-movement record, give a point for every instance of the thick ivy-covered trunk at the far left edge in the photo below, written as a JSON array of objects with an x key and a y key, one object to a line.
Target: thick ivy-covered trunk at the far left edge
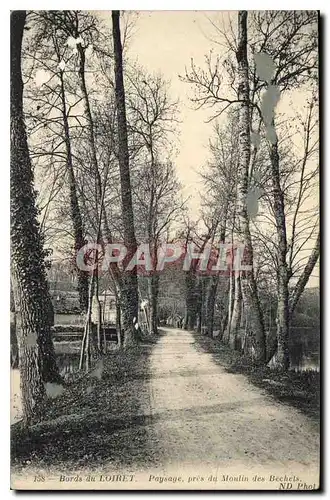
[{"x": 31, "y": 295}]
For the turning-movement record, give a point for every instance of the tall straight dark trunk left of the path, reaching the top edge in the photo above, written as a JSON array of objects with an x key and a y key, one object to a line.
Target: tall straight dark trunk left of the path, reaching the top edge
[{"x": 129, "y": 291}]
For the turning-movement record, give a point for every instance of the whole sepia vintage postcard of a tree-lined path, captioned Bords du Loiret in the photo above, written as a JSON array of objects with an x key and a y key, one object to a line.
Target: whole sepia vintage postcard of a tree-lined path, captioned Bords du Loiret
[{"x": 164, "y": 291}]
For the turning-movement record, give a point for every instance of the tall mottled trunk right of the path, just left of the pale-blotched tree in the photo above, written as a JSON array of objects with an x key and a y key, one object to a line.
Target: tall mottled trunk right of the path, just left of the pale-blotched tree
[{"x": 249, "y": 288}]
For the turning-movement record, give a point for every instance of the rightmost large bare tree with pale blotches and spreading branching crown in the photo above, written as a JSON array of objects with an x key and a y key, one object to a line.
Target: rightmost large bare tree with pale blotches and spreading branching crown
[{"x": 292, "y": 61}]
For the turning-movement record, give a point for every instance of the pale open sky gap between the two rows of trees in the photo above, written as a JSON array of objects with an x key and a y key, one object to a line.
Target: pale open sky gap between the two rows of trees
[{"x": 166, "y": 42}]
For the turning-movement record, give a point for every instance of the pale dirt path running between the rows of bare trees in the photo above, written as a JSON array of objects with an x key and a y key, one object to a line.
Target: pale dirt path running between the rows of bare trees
[{"x": 206, "y": 419}]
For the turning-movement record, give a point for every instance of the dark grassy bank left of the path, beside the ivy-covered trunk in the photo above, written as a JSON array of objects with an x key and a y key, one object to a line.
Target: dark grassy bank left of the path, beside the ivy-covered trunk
[{"x": 91, "y": 419}]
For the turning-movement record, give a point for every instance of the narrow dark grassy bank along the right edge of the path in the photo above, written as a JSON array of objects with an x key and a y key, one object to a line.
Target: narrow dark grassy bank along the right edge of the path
[{"x": 299, "y": 389}]
